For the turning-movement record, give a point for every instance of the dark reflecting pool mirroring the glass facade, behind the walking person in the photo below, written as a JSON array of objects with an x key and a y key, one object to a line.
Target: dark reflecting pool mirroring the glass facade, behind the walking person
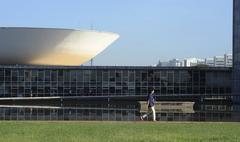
[{"x": 92, "y": 111}]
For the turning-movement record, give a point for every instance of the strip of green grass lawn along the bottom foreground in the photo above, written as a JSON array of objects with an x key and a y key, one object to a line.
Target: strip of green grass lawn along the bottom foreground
[{"x": 38, "y": 131}]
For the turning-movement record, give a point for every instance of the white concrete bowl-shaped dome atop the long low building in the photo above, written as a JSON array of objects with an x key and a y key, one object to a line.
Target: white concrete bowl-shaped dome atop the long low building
[{"x": 47, "y": 46}]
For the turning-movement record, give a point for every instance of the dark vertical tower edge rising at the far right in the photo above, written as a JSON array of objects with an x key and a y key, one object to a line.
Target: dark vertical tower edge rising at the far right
[{"x": 236, "y": 49}]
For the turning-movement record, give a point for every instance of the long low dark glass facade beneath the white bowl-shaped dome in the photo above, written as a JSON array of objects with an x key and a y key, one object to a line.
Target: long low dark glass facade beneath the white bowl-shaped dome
[{"x": 37, "y": 81}]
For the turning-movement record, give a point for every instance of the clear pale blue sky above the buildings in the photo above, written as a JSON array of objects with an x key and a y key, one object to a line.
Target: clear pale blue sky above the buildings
[{"x": 150, "y": 30}]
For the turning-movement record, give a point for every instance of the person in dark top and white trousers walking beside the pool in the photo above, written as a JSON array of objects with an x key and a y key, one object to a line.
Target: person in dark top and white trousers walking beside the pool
[{"x": 151, "y": 106}]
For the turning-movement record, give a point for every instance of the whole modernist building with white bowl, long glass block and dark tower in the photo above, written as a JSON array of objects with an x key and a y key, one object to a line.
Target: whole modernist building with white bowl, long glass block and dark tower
[{"x": 36, "y": 47}]
